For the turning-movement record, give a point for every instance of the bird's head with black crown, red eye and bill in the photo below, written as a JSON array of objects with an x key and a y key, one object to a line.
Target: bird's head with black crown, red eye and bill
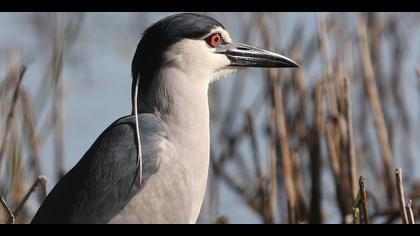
[{"x": 200, "y": 46}]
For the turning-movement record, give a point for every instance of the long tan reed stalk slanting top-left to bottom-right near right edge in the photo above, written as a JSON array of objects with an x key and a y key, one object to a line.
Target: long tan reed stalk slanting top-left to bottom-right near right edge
[{"x": 372, "y": 90}]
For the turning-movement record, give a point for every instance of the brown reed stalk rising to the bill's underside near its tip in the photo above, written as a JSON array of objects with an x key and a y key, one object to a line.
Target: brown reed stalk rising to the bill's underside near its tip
[{"x": 284, "y": 144}]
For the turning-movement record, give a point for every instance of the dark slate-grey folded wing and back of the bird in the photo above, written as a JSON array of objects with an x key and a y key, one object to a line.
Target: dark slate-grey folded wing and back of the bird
[{"x": 106, "y": 178}]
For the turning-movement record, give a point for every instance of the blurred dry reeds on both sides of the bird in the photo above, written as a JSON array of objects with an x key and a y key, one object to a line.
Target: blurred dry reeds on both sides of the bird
[{"x": 333, "y": 141}]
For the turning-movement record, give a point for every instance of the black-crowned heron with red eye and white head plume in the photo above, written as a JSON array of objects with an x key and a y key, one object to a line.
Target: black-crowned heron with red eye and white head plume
[{"x": 151, "y": 166}]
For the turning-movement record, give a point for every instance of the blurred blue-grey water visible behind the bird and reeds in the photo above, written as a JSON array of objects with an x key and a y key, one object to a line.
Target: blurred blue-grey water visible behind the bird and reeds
[{"x": 97, "y": 76}]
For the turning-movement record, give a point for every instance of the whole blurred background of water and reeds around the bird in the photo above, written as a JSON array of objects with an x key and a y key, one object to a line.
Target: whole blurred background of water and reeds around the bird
[{"x": 288, "y": 146}]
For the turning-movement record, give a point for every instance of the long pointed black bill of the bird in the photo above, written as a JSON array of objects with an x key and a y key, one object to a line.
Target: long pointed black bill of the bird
[{"x": 242, "y": 55}]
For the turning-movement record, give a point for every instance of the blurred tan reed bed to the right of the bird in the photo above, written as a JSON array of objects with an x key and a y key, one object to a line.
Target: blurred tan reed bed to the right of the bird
[{"x": 331, "y": 136}]
